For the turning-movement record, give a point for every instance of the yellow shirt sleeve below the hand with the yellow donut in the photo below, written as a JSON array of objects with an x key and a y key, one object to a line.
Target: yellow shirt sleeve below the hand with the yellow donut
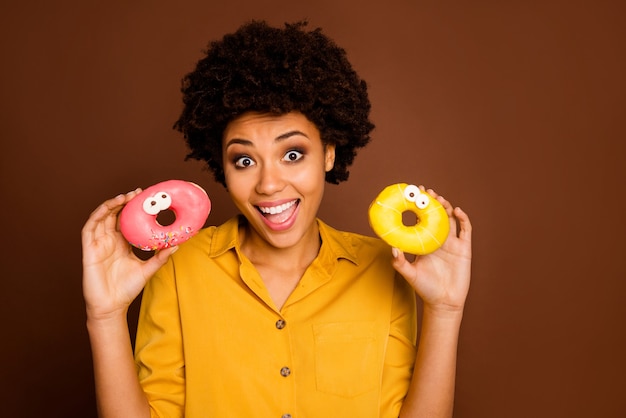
[{"x": 401, "y": 349}]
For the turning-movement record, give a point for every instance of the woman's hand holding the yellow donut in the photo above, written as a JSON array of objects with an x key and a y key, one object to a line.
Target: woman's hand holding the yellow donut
[{"x": 442, "y": 278}]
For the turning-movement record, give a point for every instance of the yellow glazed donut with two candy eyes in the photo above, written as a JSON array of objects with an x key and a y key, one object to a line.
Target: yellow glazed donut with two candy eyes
[{"x": 385, "y": 216}]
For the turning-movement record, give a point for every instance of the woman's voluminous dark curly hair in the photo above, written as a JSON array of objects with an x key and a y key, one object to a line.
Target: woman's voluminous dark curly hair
[{"x": 275, "y": 70}]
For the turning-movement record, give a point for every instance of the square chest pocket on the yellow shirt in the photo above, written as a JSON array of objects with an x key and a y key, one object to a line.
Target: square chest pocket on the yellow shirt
[{"x": 347, "y": 358}]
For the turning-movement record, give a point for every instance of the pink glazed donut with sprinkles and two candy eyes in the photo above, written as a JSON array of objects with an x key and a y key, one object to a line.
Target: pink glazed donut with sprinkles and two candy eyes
[{"x": 189, "y": 203}]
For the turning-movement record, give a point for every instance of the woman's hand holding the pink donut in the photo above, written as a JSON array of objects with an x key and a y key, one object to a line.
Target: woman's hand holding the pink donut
[{"x": 112, "y": 275}]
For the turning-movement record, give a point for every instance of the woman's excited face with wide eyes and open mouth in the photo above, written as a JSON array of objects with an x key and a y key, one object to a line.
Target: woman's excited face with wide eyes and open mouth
[{"x": 275, "y": 170}]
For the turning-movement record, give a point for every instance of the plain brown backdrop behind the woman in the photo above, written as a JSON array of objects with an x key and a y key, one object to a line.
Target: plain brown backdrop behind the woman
[{"x": 513, "y": 110}]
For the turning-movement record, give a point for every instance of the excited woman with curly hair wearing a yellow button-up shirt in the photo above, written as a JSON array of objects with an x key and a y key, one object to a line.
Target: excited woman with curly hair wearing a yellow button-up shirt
[{"x": 274, "y": 313}]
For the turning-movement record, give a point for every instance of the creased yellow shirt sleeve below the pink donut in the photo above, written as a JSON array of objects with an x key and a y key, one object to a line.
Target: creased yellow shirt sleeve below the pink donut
[{"x": 159, "y": 348}]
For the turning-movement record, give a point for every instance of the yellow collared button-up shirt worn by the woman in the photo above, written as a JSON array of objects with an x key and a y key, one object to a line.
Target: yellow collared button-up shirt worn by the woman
[{"x": 211, "y": 343}]
